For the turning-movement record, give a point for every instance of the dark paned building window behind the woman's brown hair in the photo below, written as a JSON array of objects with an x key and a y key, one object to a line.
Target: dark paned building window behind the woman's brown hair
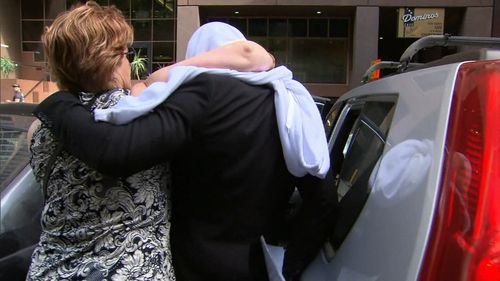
[{"x": 153, "y": 21}]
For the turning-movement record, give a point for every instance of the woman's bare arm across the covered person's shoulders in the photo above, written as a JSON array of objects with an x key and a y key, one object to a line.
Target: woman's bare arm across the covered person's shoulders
[{"x": 239, "y": 55}]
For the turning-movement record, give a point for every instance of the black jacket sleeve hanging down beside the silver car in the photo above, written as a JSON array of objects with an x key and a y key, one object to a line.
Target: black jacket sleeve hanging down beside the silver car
[{"x": 313, "y": 224}]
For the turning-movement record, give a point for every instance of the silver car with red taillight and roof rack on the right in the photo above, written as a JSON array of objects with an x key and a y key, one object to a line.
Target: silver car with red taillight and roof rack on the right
[{"x": 416, "y": 156}]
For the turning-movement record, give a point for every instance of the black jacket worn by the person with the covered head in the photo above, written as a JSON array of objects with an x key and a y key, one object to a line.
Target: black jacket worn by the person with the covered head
[{"x": 230, "y": 181}]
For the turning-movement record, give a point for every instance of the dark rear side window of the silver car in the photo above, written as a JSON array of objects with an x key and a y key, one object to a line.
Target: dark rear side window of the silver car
[{"x": 356, "y": 143}]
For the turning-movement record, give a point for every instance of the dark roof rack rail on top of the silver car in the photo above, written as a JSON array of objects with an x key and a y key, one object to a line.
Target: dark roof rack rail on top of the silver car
[{"x": 425, "y": 42}]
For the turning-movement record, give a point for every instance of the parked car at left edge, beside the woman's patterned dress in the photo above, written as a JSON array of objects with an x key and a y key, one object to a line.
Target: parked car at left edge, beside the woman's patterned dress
[{"x": 21, "y": 198}]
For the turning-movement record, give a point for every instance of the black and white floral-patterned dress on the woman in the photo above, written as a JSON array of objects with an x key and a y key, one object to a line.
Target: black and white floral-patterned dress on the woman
[{"x": 97, "y": 227}]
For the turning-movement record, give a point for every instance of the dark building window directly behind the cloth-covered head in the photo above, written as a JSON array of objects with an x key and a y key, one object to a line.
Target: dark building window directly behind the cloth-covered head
[{"x": 315, "y": 49}]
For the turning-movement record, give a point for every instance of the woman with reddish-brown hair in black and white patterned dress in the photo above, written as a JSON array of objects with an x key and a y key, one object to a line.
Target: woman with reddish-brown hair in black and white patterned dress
[{"x": 96, "y": 227}]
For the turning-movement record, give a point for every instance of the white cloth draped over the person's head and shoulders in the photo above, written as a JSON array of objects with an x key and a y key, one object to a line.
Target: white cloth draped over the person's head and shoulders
[{"x": 300, "y": 126}]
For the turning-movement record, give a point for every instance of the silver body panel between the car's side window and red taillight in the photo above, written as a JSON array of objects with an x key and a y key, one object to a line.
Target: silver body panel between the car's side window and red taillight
[{"x": 387, "y": 241}]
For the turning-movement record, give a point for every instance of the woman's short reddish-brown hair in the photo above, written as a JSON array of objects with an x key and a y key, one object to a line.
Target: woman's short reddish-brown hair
[{"x": 84, "y": 46}]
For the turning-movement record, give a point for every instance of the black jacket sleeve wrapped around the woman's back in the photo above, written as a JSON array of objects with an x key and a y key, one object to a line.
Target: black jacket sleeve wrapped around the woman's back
[{"x": 121, "y": 150}]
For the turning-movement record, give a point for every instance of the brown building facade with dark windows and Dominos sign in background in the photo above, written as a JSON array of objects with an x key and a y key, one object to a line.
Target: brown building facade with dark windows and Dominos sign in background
[{"x": 327, "y": 44}]
